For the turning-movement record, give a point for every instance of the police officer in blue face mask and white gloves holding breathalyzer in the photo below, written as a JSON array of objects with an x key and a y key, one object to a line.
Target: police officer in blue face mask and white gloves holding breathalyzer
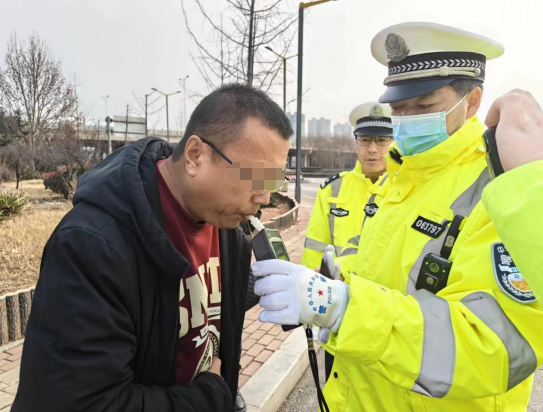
[{"x": 437, "y": 316}]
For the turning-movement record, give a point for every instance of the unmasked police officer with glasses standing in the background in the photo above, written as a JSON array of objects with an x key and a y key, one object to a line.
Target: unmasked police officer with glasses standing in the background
[{"x": 339, "y": 209}]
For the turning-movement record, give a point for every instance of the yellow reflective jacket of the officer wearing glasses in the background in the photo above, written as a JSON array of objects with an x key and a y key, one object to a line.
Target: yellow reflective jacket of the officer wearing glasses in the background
[{"x": 337, "y": 217}]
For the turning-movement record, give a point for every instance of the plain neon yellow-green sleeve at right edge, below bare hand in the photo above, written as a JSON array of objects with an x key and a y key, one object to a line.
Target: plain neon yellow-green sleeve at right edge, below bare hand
[{"x": 514, "y": 202}]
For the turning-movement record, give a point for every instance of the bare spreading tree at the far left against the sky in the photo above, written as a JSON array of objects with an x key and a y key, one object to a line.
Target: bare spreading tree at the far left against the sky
[{"x": 32, "y": 84}]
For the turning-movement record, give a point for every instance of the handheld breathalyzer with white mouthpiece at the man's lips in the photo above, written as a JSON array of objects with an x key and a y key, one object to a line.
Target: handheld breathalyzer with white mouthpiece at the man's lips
[{"x": 268, "y": 244}]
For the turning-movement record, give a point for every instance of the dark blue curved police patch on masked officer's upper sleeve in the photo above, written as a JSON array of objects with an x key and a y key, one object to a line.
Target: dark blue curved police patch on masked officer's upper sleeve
[{"x": 508, "y": 277}]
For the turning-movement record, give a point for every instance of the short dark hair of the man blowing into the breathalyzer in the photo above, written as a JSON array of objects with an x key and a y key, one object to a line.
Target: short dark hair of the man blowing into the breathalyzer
[{"x": 221, "y": 116}]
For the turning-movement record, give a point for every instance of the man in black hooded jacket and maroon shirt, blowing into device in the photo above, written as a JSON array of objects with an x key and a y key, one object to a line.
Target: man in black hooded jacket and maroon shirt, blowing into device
[{"x": 143, "y": 283}]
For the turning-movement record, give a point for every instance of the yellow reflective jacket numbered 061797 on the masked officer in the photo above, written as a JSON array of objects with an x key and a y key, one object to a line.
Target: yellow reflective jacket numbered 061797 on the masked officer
[{"x": 471, "y": 347}]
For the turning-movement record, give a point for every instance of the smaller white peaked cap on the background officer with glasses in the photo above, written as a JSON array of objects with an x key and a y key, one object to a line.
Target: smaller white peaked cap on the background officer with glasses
[{"x": 371, "y": 119}]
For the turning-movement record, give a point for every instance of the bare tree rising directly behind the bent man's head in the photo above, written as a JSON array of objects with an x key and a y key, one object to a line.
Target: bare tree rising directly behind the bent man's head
[{"x": 231, "y": 51}]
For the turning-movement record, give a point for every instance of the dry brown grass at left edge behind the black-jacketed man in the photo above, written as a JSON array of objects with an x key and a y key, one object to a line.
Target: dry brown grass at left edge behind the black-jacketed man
[{"x": 22, "y": 238}]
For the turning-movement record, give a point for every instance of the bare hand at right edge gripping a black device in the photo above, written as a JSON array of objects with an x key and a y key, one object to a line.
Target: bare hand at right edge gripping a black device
[{"x": 519, "y": 135}]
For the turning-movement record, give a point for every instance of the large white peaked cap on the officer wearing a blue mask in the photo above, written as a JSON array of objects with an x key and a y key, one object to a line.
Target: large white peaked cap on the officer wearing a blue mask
[{"x": 423, "y": 57}]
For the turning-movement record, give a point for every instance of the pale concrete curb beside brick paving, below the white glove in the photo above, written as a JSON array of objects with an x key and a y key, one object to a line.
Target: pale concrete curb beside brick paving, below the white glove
[{"x": 272, "y": 383}]
